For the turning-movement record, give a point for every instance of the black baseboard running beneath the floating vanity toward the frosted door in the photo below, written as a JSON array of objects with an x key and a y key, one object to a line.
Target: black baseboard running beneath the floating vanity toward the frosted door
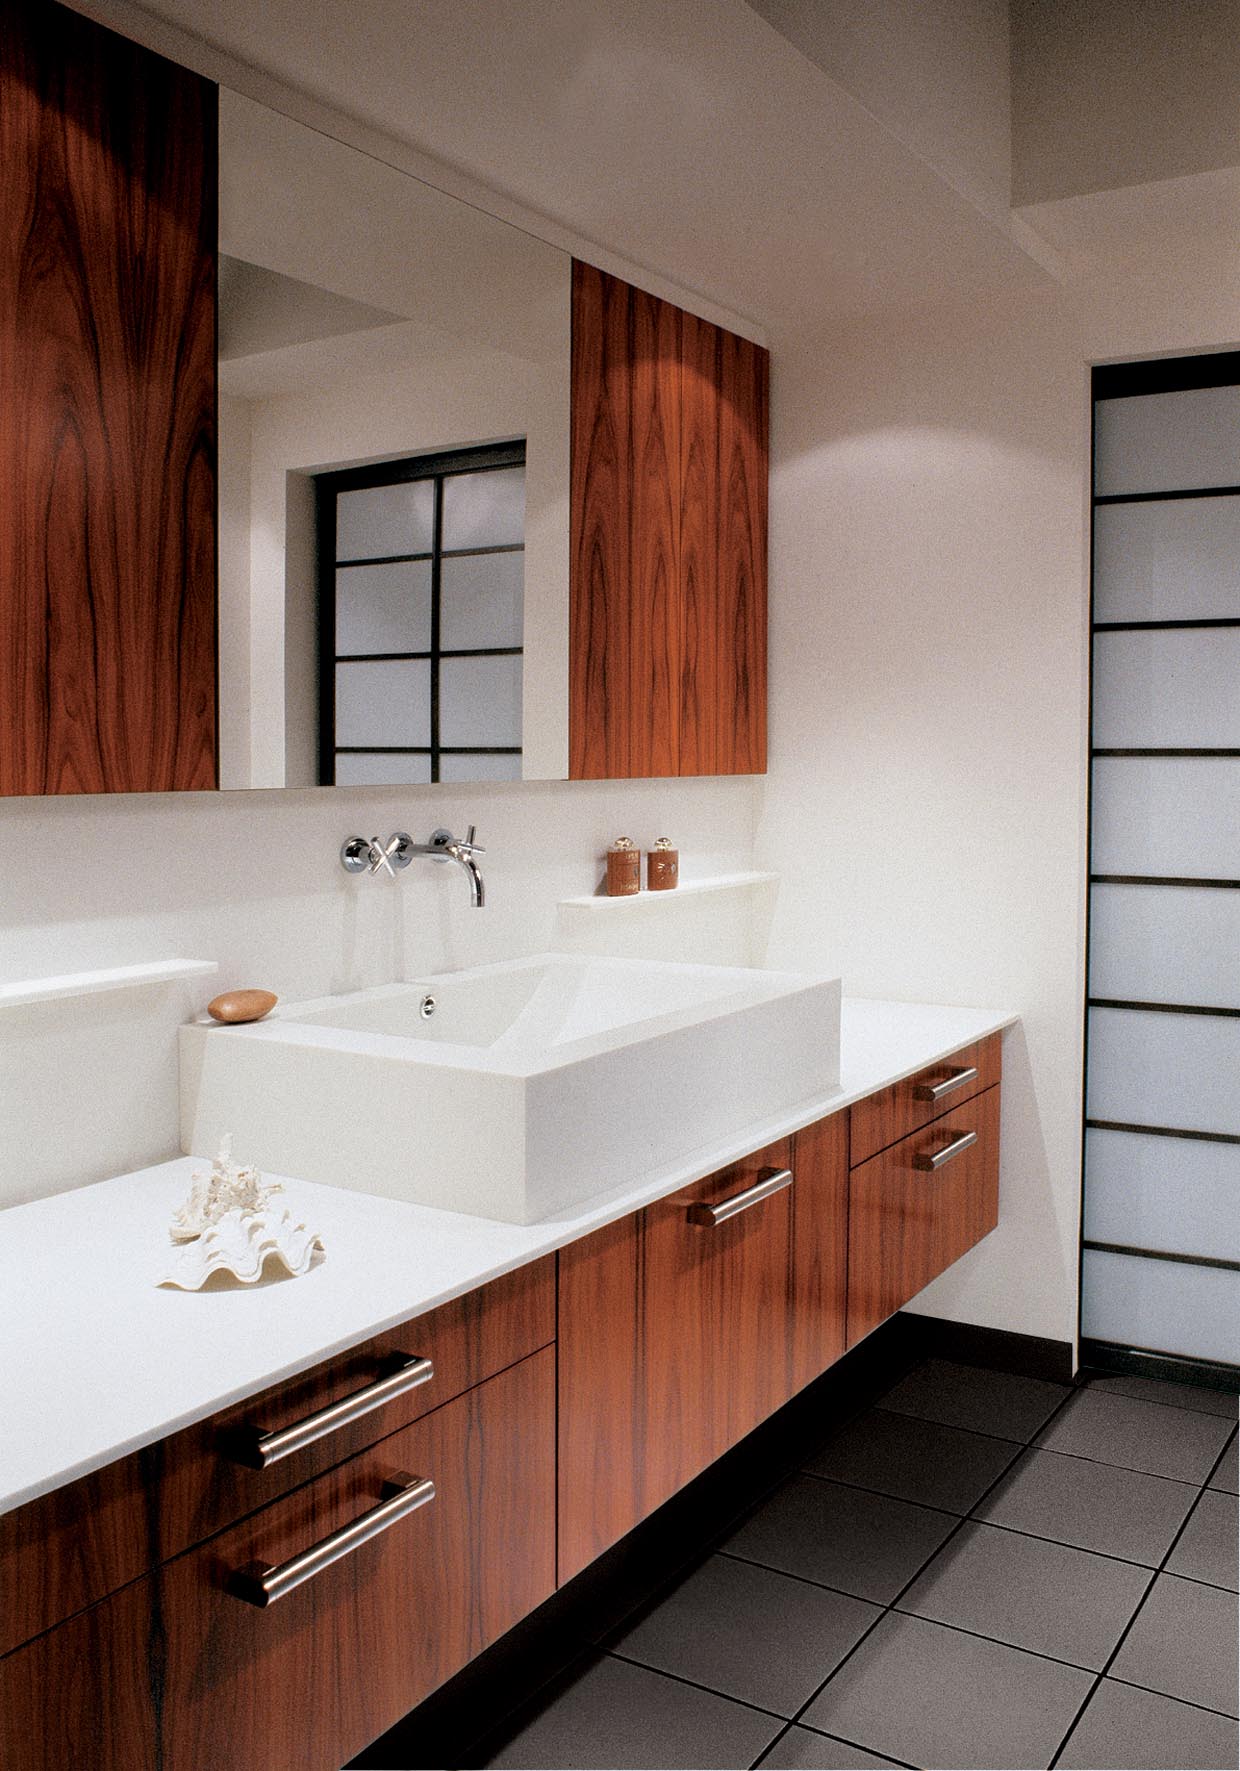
[{"x": 469, "y": 1719}]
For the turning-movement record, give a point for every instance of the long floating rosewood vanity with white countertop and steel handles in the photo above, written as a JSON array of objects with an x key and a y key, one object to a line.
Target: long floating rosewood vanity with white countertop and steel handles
[{"x": 203, "y": 1588}]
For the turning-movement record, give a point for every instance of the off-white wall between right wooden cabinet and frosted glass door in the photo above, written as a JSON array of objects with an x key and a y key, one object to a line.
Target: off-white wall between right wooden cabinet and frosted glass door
[{"x": 927, "y": 743}]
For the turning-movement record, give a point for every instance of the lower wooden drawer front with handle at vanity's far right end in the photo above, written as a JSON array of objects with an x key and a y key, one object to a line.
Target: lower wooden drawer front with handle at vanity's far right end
[{"x": 908, "y": 1223}]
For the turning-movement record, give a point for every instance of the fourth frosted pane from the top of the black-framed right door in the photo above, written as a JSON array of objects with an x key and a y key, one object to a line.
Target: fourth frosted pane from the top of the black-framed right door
[{"x": 1166, "y": 816}]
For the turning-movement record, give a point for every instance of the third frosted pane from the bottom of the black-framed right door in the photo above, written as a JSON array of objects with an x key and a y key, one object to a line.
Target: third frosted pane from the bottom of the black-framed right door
[{"x": 1175, "y": 1071}]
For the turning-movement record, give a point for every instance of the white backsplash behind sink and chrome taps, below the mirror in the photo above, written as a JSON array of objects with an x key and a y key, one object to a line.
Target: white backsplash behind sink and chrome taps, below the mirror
[{"x": 89, "y": 1087}]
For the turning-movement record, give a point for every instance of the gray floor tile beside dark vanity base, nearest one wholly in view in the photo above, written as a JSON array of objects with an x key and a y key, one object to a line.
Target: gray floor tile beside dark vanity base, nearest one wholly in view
[{"x": 750, "y": 1634}]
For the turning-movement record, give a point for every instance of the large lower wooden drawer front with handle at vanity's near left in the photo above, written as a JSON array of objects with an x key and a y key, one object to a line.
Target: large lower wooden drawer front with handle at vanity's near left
[{"x": 332, "y": 1664}]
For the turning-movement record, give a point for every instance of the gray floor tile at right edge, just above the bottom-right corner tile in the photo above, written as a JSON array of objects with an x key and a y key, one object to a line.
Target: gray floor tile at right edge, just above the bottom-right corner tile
[{"x": 1184, "y": 1644}]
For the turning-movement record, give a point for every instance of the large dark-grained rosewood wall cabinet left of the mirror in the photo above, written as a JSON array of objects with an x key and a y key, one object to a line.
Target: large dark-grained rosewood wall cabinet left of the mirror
[{"x": 107, "y": 383}]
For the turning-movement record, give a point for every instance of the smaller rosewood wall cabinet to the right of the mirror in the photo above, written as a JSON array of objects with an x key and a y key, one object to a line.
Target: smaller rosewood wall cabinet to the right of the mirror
[{"x": 669, "y": 539}]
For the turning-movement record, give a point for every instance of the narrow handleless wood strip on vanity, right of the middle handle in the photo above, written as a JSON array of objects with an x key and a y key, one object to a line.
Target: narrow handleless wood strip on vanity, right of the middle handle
[{"x": 819, "y": 1249}]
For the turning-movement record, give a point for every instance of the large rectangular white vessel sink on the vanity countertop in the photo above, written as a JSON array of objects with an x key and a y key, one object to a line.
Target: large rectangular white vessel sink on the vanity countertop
[{"x": 529, "y": 1088}]
